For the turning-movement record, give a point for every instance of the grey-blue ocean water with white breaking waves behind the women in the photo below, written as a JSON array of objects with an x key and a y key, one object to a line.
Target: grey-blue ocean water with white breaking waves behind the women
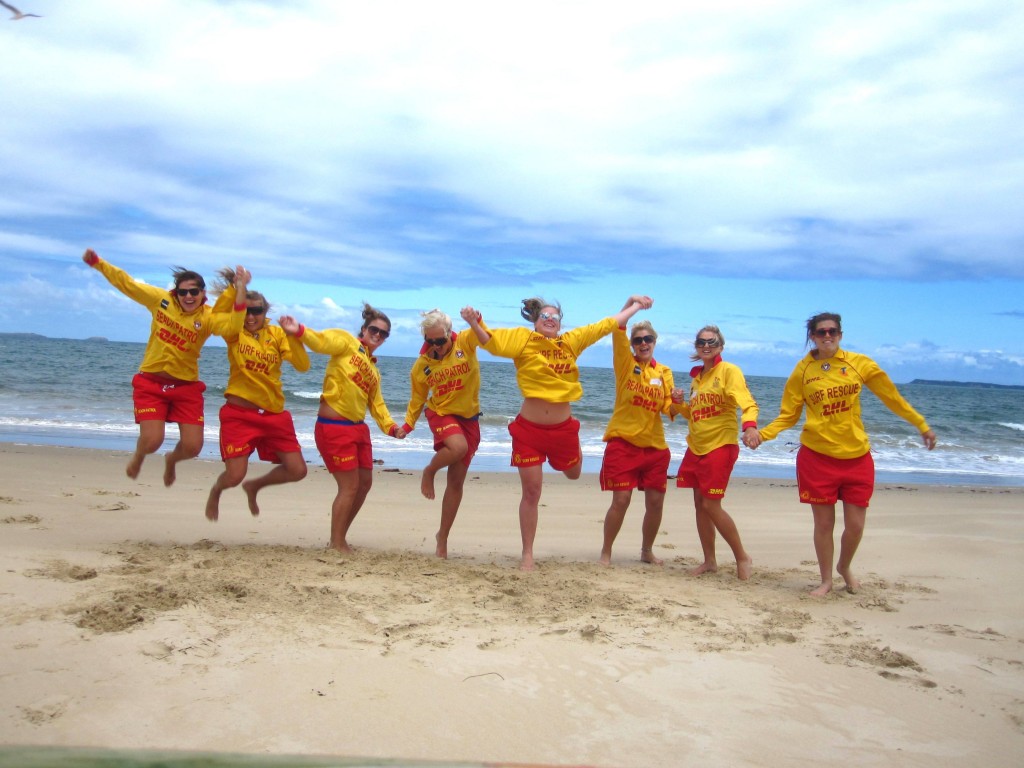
[{"x": 78, "y": 394}]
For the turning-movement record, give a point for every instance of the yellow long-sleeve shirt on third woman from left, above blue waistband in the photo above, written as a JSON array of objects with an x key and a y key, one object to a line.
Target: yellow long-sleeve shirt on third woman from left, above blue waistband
[{"x": 352, "y": 382}]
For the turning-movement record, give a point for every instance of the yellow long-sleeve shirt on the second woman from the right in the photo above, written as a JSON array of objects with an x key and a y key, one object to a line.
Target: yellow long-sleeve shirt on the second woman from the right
[{"x": 711, "y": 411}]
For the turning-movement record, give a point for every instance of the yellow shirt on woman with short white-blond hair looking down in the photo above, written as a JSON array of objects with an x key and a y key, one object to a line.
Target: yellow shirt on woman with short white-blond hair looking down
[{"x": 450, "y": 387}]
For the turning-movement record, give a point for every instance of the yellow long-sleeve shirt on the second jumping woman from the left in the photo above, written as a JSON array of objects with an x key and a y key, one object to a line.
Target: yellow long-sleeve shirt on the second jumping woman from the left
[{"x": 257, "y": 360}]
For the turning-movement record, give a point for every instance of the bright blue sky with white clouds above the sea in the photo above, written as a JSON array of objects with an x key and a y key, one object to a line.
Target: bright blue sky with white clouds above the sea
[{"x": 745, "y": 163}]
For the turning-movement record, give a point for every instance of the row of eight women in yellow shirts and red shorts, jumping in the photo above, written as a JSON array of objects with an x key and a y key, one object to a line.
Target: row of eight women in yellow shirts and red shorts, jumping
[{"x": 834, "y": 462}]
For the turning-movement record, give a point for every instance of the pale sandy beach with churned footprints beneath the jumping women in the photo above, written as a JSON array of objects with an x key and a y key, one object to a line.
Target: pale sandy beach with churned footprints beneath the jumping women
[{"x": 131, "y": 622}]
